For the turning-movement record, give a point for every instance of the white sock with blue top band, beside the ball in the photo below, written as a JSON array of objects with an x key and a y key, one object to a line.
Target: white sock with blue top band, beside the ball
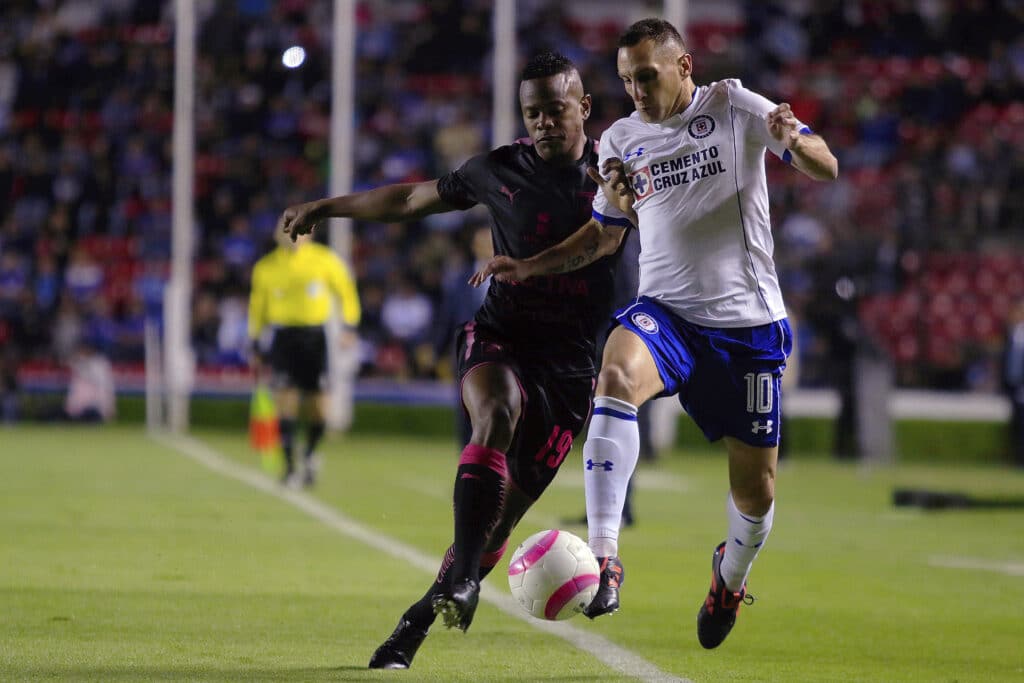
[{"x": 610, "y": 456}]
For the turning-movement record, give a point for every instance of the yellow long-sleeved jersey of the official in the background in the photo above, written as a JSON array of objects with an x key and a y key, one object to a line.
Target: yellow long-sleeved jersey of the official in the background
[{"x": 298, "y": 287}]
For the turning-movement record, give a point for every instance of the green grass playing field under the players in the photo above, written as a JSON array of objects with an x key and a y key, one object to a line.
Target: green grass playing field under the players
[{"x": 122, "y": 560}]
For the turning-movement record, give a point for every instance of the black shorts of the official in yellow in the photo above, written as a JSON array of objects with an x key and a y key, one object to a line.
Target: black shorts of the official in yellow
[{"x": 298, "y": 359}]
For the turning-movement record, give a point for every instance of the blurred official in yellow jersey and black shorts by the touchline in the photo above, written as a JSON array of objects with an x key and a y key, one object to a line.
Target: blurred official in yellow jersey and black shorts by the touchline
[{"x": 295, "y": 290}]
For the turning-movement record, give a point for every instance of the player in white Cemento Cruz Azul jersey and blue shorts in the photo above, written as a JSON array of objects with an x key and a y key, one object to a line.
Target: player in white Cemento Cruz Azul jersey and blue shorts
[{"x": 688, "y": 168}]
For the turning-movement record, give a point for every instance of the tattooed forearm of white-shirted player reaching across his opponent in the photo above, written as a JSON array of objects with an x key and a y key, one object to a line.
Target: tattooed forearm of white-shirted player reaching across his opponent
[{"x": 590, "y": 243}]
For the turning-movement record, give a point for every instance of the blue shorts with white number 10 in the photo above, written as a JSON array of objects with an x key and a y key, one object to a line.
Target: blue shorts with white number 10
[{"x": 729, "y": 379}]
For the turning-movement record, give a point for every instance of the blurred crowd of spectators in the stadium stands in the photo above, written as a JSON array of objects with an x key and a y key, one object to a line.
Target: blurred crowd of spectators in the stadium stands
[{"x": 918, "y": 247}]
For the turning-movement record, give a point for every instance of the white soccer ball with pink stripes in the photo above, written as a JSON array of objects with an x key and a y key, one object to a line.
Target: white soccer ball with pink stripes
[{"x": 553, "y": 575}]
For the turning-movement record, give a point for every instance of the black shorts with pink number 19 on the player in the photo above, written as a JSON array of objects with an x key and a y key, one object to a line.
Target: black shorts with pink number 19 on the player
[{"x": 556, "y": 408}]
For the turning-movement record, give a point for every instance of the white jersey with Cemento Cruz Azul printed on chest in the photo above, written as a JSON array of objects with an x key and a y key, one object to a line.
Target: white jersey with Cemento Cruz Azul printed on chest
[{"x": 703, "y": 203}]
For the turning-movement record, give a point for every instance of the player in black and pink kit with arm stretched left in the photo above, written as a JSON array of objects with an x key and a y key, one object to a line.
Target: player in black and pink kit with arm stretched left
[{"x": 527, "y": 360}]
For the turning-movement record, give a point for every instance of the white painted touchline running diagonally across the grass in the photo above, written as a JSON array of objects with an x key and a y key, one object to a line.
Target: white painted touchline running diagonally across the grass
[{"x": 601, "y": 649}]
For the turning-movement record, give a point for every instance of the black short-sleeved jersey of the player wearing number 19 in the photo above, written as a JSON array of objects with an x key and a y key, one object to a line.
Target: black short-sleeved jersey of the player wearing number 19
[{"x": 551, "y": 319}]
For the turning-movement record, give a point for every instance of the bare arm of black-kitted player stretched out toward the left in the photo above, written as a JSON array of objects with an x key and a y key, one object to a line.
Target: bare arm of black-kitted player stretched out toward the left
[{"x": 389, "y": 204}]
